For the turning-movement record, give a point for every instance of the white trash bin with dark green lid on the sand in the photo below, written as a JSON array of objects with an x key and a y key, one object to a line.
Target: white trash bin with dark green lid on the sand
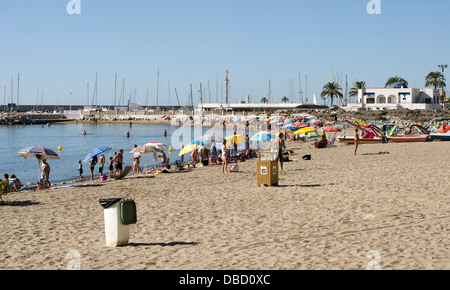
[{"x": 117, "y": 232}]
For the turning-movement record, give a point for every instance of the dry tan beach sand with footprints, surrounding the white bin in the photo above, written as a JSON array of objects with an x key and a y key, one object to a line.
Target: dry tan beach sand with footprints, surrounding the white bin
[{"x": 327, "y": 213}]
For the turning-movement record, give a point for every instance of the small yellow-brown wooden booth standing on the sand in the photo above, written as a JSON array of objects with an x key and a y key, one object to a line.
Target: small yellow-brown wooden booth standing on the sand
[{"x": 267, "y": 168}]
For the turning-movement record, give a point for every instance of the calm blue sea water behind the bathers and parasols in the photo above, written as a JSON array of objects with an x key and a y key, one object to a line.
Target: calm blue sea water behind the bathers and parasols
[{"x": 76, "y": 146}]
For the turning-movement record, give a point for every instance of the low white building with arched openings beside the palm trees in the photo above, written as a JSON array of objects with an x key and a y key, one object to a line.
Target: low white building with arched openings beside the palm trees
[{"x": 398, "y": 96}]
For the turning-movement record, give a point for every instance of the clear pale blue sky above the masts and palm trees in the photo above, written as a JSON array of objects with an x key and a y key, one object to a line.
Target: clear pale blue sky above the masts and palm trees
[{"x": 196, "y": 41}]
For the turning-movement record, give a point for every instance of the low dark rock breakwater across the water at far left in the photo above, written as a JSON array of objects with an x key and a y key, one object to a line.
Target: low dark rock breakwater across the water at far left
[{"x": 30, "y": 118}]
